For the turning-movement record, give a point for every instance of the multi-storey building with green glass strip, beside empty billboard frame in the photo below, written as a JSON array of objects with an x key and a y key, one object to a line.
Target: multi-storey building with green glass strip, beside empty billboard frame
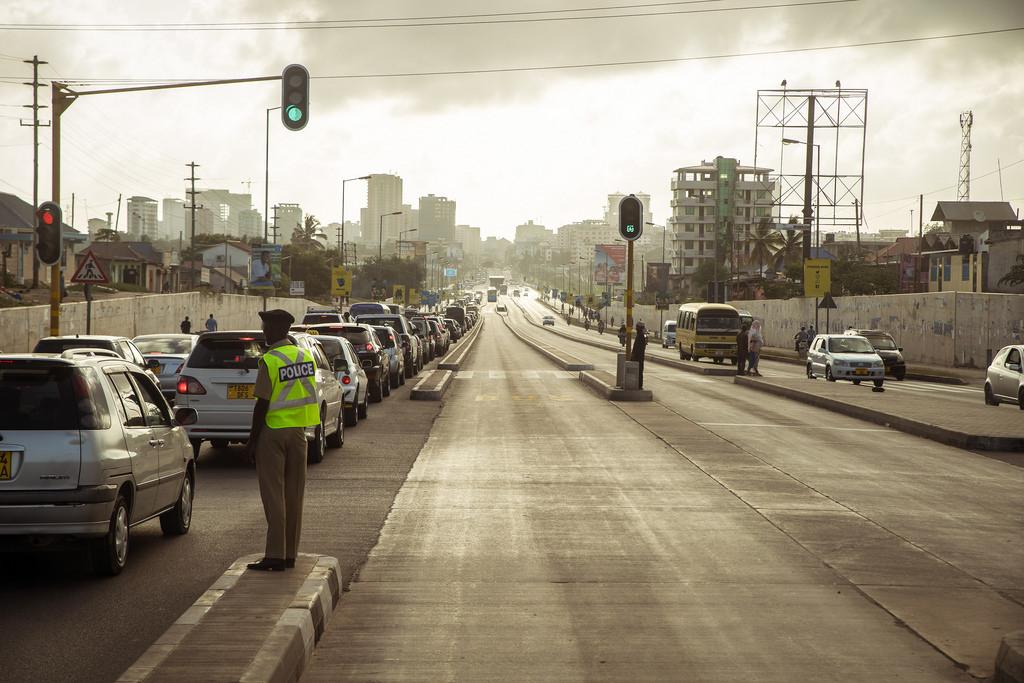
[{"x": 720, "y": 198}]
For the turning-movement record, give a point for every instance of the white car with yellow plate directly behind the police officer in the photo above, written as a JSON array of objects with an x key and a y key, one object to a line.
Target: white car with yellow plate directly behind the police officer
[{"x": 220, "y": 379}]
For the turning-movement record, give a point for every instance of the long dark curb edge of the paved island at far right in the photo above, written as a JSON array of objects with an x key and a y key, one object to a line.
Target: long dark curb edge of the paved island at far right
[{"x": 918, "y": 429}]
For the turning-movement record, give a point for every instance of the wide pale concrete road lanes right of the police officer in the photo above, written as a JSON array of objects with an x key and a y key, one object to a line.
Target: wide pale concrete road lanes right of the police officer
[{"x": 547, "y": 535}]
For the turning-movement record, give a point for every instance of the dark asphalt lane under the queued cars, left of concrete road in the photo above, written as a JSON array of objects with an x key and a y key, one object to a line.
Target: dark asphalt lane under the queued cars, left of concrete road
[{"x": 61, "y": 623}]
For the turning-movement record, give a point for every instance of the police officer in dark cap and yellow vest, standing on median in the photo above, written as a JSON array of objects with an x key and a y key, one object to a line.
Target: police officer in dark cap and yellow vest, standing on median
[{"x": 286, "y": 405}]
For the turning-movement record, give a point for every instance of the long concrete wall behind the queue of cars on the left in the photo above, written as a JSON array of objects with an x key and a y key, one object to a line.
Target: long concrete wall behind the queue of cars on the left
[{"x": 21, "y": 328}]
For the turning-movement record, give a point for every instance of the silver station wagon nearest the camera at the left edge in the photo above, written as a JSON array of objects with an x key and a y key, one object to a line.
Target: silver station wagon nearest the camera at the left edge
[{"x": 90, "y": 449}]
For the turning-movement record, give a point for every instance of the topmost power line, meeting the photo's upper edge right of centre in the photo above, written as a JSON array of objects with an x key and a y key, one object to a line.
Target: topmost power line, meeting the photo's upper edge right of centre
[{"x": 415, "y": 25}]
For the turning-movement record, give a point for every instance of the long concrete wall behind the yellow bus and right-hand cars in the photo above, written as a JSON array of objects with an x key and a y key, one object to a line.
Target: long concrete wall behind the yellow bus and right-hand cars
[{"x": 947, "y": 329}]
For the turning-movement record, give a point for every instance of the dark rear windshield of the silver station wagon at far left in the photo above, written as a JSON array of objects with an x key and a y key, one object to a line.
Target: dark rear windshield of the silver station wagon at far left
[{"x": 36, "y": 397}]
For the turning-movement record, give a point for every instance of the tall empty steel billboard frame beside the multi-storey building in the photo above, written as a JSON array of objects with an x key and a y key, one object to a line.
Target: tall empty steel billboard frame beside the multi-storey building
[{"x": 827, "y": 182}]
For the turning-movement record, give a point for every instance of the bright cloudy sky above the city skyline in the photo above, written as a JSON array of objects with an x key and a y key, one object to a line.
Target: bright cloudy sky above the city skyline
[{"x": 543, "y": 145}]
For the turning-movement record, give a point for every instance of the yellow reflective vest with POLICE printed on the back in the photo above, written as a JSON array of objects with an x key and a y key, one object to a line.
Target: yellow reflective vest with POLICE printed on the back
[{"x": 293, "y": 399}]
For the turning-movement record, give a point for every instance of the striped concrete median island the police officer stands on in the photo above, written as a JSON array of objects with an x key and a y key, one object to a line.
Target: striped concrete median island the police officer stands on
[{"x": 282, "y": 656}]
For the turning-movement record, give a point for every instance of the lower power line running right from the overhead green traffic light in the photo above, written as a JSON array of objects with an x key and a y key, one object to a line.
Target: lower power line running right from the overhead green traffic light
[{"x": 595, "y": 65}]
